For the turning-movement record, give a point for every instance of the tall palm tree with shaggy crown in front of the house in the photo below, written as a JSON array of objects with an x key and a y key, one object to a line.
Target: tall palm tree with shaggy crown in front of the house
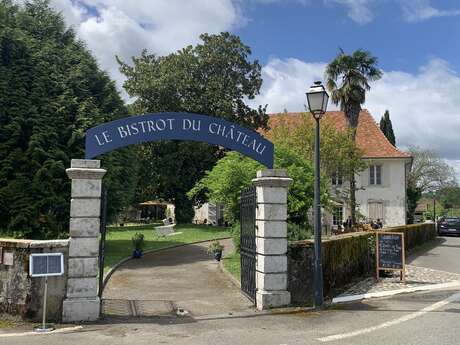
[{"x": 347, "y": 79}]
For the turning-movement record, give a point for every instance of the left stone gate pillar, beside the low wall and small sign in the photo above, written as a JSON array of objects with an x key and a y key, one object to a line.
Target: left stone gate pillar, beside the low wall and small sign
[{"x": 82, "y": 302}]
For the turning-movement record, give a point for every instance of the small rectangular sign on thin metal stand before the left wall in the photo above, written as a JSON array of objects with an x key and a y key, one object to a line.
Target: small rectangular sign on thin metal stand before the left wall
[{"x": 45, "y": 265}]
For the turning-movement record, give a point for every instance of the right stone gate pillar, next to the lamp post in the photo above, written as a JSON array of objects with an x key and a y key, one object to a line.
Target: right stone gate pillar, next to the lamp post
[{"x": 271, "y": 239}]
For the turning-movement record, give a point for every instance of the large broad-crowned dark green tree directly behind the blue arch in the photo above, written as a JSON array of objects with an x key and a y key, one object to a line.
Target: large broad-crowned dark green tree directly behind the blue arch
[{"x": 213, "y": 78}]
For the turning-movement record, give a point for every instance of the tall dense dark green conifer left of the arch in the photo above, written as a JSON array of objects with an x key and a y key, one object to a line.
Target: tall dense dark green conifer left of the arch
[{"x": 51, "y": 92}]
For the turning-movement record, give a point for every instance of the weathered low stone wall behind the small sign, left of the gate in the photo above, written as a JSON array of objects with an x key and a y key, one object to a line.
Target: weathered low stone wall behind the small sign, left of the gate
[{"x": 22, "y": 295}]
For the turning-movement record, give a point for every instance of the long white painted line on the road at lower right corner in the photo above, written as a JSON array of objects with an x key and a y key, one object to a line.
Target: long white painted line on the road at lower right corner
[{"x": 437, "y": 305}]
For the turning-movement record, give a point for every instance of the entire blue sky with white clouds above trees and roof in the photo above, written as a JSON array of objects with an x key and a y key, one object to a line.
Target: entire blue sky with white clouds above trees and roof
[{"x": 417, "y": 43}]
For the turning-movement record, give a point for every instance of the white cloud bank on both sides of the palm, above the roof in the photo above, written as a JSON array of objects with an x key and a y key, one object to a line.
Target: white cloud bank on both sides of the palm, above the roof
[{"x": 423, "y": 106}]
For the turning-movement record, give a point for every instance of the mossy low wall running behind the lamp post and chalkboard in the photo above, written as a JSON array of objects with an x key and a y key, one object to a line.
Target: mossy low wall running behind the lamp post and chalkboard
[{"x": 345, "y": 258}]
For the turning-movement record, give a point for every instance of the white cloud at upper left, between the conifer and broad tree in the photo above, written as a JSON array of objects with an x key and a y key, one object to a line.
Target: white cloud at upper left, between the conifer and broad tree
[{"x": 124, "y": 28}]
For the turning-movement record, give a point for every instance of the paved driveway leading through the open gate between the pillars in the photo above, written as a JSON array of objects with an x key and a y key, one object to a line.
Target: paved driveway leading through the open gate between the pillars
[{"x": 179, "y": 278}]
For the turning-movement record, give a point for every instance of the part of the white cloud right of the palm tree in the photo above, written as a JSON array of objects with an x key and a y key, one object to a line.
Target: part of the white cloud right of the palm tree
[{"x": 424, "y": 106}]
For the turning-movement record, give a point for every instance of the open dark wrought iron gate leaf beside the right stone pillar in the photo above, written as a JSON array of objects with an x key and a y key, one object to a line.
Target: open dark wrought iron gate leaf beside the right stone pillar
[{"x": 248, "y": 204}]
